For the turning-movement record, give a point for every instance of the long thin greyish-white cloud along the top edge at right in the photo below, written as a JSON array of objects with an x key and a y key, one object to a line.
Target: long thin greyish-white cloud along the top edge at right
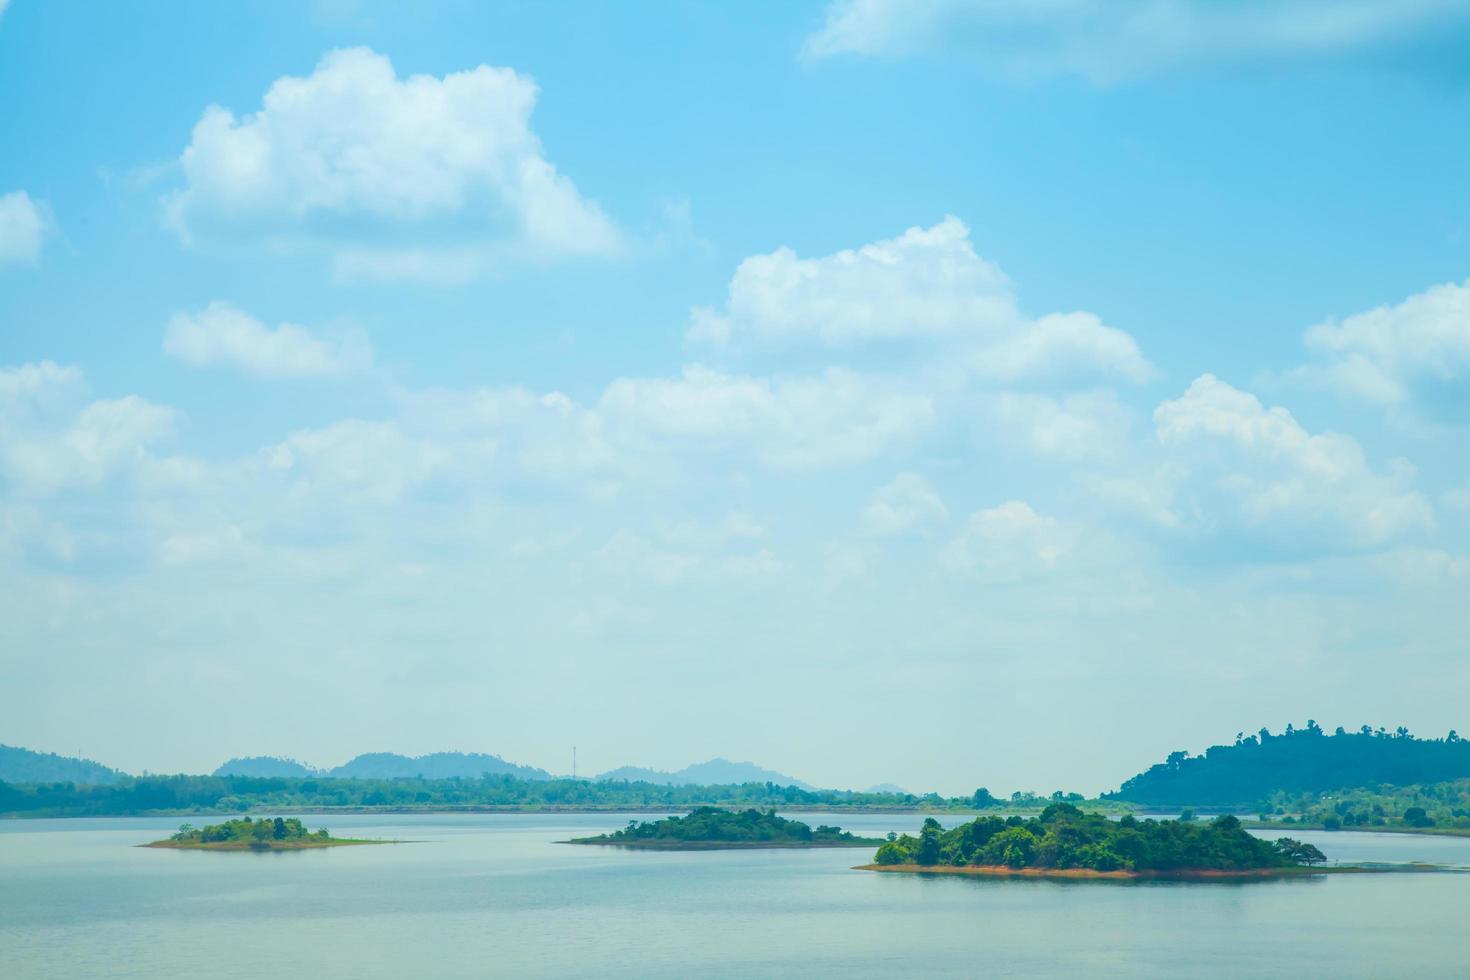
[{"x": 1109, "y": 40}]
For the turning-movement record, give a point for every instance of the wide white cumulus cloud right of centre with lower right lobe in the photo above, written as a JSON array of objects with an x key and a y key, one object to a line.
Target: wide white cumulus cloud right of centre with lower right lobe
[{"x": 928, "y": 284}]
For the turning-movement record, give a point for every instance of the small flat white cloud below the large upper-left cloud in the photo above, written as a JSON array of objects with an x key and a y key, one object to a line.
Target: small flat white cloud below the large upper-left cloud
[{"x": 223, "y": 336}]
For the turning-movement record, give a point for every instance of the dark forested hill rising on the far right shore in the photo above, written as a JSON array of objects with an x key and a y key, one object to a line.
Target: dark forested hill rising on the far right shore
[{"x": 1300, "y": 760}]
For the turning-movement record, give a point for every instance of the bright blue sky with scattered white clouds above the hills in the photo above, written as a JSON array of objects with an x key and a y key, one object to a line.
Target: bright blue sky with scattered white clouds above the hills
[{"x": 950, "y": 393}]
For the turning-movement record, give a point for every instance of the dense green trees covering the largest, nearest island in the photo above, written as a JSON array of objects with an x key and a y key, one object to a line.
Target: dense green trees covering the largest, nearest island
[{"x": 1065, "y": 838}]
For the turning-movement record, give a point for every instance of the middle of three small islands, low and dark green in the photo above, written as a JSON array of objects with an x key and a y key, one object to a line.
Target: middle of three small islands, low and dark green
[{"x": 715, "y": 829}]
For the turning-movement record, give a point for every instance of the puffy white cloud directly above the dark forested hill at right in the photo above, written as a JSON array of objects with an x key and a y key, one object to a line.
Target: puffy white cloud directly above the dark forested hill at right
[{"x": 1256, "y": 468}]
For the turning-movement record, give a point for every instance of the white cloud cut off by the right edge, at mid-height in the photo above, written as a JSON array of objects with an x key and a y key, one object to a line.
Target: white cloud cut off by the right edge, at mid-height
[{"x": 1397, "y": 355}]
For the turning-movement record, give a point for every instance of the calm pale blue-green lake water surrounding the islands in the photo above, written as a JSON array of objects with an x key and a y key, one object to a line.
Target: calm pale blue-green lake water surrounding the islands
[{"x": 495, "y": 897}]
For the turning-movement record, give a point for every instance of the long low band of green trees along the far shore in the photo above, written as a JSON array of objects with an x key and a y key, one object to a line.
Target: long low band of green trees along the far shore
[{"x": 242, "y": 794}]
